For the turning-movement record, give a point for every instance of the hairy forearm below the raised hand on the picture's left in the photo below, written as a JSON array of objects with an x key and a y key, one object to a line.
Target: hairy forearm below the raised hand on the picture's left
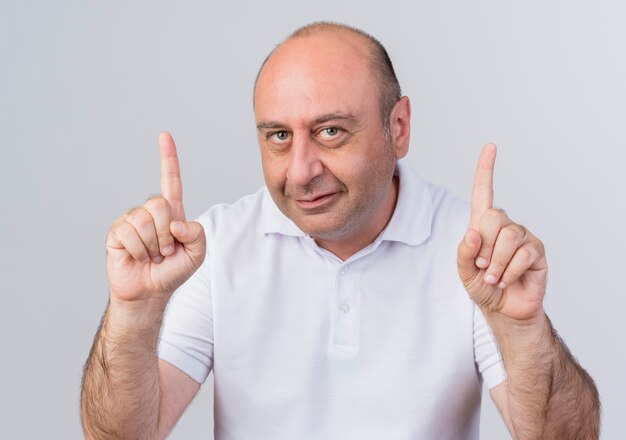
[{"x": 120, "y": 392}]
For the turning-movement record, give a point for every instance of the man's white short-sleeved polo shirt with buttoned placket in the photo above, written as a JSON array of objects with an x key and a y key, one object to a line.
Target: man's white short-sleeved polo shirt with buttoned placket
[{"x": 384, "y": 345}]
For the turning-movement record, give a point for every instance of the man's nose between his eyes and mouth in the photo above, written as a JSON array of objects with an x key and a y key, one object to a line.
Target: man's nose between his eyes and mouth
[{"x": 304, "y": 160}]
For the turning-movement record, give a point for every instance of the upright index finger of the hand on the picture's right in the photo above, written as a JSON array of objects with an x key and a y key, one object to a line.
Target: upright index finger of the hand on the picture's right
[{"x": 482, "y": 193}]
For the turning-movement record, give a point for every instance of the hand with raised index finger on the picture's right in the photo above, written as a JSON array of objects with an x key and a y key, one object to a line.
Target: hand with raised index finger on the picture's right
[{"x": 502, "y": 265}]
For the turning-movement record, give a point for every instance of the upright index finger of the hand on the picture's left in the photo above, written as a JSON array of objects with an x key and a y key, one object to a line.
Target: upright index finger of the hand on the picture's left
[{"x": 171, "y": 184}]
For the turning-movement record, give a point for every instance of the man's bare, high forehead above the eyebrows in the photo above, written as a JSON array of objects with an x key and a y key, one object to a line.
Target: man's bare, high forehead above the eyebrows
[{"x": 314, "y": 75}]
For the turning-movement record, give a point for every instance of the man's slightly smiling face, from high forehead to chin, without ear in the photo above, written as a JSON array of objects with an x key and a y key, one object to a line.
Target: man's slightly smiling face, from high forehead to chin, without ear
[{"x": 325, "y": 160}]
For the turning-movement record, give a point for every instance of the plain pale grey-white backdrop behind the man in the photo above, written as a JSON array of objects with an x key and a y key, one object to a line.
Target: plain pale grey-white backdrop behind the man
[{"x": 86, "y": 86}]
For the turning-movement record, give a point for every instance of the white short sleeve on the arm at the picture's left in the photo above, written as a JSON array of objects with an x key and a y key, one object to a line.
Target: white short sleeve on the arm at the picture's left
[{"x": 186, "y": 339}]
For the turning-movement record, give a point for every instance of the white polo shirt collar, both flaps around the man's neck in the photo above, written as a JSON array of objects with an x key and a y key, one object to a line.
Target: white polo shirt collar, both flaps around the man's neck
[{"x": 410, "y": 222}]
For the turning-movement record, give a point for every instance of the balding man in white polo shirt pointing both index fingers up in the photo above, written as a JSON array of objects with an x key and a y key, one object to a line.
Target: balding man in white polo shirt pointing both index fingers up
[{"x": 328, "y": 305}]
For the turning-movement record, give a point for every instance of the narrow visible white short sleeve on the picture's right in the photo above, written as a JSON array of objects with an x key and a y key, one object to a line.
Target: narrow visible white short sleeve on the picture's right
[{"x": 486, "y": 352}]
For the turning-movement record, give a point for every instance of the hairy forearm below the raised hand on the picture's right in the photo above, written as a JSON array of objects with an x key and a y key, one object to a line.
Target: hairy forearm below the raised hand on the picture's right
[{"x": 549, "y": 395}]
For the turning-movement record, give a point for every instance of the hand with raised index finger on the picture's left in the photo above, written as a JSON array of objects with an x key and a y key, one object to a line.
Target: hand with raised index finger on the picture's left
[{"x": 152, "y": 249}]
